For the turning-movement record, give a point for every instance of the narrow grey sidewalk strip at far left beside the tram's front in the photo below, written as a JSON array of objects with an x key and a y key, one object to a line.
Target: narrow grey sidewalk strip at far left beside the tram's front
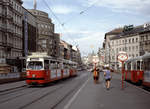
[{"x": 13, "y": 85}]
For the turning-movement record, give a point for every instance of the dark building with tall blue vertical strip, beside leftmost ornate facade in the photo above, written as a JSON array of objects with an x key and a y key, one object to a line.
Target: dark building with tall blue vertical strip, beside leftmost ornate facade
[{"x": 29, "y": 32}]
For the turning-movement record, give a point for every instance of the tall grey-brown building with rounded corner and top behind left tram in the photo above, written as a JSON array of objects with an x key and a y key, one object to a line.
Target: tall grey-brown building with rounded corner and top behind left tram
[{"x": 45, "y": 32}]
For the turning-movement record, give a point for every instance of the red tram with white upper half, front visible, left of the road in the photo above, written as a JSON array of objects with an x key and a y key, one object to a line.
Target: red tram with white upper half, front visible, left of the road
[{"x": 43, "y": 69}]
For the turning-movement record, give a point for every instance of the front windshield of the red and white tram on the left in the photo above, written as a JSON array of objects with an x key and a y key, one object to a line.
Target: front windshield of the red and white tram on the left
[{"x": 35, "y": 65}]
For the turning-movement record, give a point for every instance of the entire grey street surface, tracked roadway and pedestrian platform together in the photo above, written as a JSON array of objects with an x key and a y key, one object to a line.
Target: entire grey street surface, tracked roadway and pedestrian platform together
[{"x": 77, "y": 93}]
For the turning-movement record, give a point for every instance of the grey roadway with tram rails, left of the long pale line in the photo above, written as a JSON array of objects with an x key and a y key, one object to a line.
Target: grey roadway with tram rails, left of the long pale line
[{"x": 41, "y": 97}]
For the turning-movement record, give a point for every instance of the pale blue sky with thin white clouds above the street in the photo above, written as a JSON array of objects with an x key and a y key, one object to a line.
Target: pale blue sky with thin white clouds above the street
[{"x": 83, "y": 23}]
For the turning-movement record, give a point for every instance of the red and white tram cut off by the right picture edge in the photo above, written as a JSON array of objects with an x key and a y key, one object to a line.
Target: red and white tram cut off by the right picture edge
[{"x": 137, "y": 70}]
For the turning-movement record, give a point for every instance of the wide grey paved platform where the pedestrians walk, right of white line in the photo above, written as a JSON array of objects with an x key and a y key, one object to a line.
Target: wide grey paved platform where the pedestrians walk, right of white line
[{"x": 95, "y": 96}]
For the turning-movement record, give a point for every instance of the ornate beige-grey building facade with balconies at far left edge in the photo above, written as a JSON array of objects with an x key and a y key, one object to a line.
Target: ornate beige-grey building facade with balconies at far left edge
[{"x": 11, "y": 29}]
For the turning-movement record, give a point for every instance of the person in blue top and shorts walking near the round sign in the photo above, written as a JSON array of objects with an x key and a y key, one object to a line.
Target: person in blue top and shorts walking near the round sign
[{"x": 108, "y": 77}]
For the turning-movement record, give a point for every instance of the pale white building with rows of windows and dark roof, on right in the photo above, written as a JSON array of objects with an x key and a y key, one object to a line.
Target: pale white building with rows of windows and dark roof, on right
[{"x": 128, "y": 41}]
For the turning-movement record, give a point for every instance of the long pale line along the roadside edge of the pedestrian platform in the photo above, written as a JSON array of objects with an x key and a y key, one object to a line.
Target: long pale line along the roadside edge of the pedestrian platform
[{"x": 76, "y": 94}]
